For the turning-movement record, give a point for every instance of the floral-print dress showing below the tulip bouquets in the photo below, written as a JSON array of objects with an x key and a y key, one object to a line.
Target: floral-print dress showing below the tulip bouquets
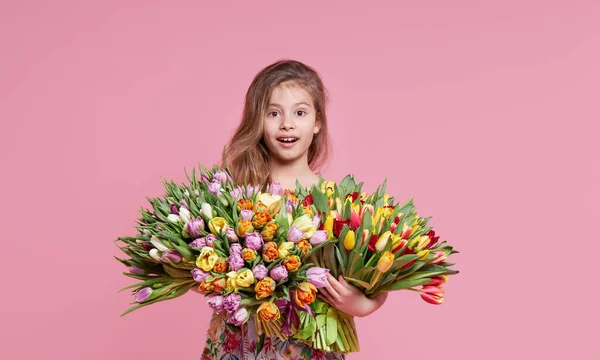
[{"x": 224, "y": 343}]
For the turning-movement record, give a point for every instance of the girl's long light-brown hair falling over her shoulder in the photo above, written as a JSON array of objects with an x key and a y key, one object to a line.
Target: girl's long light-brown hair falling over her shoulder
[{"x": 246, "y": 155}]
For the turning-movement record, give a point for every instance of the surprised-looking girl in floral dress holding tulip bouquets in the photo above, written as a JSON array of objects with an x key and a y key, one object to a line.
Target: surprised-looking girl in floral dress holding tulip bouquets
[{"x": 282, "y": 138}]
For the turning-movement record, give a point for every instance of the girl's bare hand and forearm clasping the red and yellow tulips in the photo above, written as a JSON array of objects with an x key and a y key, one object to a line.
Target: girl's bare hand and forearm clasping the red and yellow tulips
[{"x": 348, "y": 299}]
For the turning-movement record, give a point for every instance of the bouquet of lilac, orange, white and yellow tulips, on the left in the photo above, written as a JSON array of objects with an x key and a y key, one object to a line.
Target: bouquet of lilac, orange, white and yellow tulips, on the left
[{"x": 245, "y": 248}]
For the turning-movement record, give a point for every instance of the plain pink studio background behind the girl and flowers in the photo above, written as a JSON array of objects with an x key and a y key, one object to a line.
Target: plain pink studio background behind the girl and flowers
[{"x": 486, "y": 113}]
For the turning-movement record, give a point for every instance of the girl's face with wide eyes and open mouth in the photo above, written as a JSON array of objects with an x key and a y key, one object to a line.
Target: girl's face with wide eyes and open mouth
[{"x": 290, "y": 123}]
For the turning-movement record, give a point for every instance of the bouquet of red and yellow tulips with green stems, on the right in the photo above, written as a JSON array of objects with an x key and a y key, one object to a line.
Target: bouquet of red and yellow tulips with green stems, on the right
[{"x": 378, "y": 245}]
